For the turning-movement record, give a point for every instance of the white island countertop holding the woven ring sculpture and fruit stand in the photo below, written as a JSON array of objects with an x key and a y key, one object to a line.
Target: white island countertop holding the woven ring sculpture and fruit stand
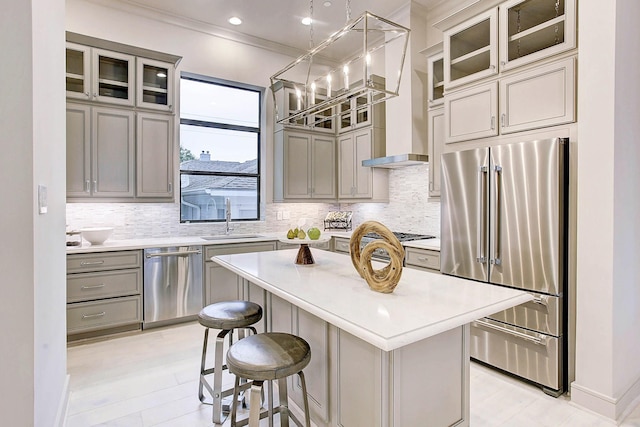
[{"x": 422, "y": 305}]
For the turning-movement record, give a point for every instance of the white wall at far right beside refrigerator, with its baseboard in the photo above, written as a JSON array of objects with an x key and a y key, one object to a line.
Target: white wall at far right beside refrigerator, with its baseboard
[{"x": 608, "y": 294}]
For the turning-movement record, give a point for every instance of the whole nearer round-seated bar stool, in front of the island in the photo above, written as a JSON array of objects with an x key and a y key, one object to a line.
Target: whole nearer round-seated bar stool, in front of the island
[{"x": 267, "y": 357}]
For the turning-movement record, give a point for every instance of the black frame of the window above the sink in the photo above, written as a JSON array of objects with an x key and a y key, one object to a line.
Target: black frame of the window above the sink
[{"x": 225, "y": 126}]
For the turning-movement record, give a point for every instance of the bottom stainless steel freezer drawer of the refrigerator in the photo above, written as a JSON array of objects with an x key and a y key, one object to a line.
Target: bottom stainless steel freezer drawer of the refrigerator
[{"x": 525, "y": 353}]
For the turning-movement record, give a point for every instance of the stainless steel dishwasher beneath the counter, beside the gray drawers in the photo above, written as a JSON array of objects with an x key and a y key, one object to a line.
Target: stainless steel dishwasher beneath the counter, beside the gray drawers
[{"x": 173, "y": 290}]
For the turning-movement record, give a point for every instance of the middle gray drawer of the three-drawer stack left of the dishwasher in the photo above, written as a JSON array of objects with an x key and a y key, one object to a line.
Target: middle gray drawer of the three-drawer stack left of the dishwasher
[{"x": 106, "y": 284}]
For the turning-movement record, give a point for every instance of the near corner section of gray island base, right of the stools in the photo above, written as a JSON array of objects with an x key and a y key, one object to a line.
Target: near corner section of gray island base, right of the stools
[{"x": 419, "y": 384}]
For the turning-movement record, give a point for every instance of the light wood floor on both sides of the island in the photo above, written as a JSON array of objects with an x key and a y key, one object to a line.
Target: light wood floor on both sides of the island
[{"x": 150, "y": 378}]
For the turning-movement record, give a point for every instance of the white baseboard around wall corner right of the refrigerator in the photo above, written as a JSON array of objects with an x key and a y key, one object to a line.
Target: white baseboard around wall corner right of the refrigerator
[{"x": 612, "y": 408}]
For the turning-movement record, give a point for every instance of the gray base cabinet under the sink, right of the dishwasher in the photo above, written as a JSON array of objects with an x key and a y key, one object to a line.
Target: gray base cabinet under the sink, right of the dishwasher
[{"x": 220, "y": 283}]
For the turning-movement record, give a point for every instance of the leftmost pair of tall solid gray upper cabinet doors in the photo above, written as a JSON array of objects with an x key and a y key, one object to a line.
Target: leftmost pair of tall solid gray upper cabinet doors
[{"x": 100, "y": 152}]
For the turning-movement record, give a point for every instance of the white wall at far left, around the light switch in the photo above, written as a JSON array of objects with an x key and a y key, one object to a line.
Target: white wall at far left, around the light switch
[{"x": 32, "y": 260}]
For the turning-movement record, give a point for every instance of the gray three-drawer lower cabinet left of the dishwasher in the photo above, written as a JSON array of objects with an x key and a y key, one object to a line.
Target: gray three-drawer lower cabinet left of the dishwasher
[{"x": 104, "y": 293}]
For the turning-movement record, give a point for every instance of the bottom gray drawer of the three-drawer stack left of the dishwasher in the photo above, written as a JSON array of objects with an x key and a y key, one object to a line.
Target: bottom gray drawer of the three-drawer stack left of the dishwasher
[{"x": 88, "y": 316}]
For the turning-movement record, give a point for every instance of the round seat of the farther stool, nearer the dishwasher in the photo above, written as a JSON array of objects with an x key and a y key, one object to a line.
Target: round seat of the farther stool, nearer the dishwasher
[{"x": 228, "y": 315}]
